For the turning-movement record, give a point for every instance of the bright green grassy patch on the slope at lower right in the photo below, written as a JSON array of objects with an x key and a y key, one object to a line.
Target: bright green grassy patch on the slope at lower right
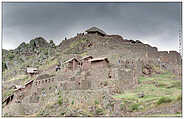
[{"x": 158, "y": 89}]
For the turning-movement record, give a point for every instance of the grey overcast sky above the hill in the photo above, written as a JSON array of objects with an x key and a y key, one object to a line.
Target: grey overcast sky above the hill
[{"x": 157, "y": 24}]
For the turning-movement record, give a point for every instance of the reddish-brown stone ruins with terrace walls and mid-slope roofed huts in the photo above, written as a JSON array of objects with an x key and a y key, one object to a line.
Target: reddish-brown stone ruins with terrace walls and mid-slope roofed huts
[{"x": 96, "y": 74}]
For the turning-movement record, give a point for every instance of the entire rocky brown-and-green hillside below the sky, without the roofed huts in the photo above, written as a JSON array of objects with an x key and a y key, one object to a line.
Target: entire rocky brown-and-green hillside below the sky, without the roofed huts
[{"x": 139, "y": 80}]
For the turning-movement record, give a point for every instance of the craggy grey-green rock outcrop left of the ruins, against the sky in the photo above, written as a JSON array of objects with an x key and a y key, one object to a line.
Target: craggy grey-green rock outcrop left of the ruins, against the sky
[{"x": 34, "y": 53}]
